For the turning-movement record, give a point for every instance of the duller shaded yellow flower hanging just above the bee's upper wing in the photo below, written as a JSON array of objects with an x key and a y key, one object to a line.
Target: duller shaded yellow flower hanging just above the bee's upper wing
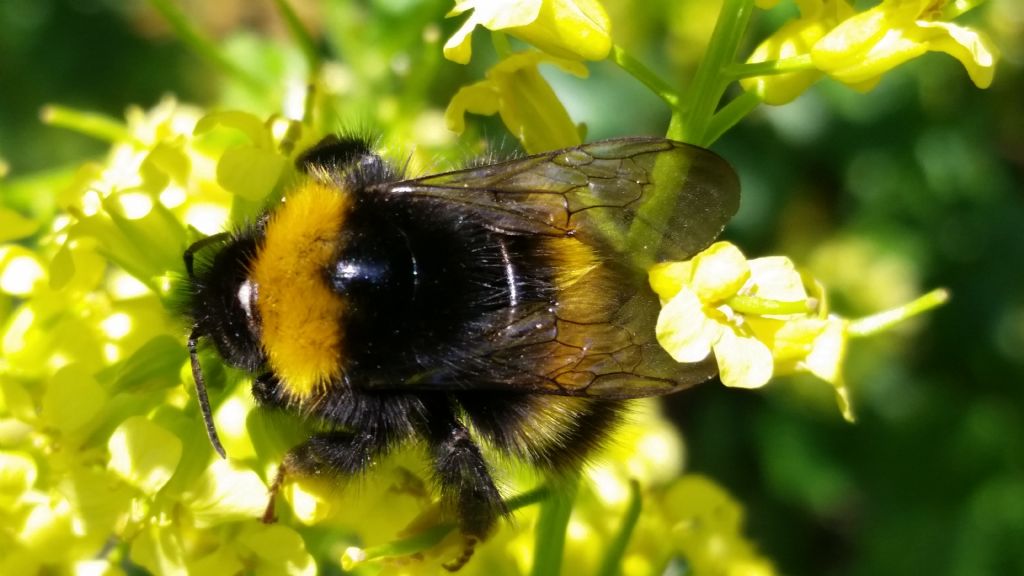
[{"x": 527, "y": 103}]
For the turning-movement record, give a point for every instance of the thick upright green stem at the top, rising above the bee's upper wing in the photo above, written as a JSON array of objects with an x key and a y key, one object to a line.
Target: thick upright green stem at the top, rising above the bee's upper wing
[{"x": 703, "y": 96}]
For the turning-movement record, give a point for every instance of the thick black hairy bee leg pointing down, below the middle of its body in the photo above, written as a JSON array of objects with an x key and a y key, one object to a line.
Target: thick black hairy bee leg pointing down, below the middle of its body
[{"x": 463, "y": 476}]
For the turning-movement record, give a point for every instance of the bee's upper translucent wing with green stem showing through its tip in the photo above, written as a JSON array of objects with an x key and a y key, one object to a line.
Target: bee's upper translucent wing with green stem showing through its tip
[{"x": 602, "y": 194}]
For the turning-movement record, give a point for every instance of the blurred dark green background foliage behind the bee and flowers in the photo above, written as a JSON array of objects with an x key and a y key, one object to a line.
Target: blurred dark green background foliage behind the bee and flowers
[{"x": 885, "y": 195}]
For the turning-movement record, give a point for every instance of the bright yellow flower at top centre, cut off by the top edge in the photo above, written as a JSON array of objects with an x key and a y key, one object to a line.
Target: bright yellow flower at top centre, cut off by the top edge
[{"x": 567, "y": 29}]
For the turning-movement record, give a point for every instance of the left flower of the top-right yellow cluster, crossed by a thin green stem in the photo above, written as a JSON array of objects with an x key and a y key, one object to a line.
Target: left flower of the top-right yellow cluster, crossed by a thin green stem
[{"x": 795, "y": 39}]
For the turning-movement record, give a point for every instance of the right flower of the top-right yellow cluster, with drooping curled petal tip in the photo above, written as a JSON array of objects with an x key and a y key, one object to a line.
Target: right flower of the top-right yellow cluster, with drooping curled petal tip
[{"x": 864, "y": 48}]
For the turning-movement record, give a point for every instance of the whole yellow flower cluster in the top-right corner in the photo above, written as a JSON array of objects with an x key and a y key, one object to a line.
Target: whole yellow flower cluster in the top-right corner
[{"x": 831, "y": 39}]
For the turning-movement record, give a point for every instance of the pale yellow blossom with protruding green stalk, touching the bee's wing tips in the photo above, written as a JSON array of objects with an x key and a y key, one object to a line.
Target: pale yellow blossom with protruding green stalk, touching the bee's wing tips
[{"x": 760, "y": 319}]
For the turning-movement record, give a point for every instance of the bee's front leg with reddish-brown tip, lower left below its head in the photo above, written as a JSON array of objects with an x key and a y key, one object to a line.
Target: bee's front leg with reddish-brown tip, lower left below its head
[{"x": 331, "y": 455}]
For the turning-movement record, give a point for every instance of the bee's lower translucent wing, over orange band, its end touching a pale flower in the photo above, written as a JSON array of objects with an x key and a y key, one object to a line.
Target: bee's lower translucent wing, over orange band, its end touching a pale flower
[{"x": 600, "y": 347}]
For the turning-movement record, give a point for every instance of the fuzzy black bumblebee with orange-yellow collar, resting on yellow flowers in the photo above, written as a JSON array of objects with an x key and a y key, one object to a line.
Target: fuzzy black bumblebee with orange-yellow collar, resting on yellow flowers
[{"x": 499, "y": 304}]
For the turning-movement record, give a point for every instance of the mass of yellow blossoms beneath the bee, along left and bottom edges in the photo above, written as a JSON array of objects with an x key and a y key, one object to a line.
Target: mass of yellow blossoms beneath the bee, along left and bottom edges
[{"x": 104, "y": 455}]
